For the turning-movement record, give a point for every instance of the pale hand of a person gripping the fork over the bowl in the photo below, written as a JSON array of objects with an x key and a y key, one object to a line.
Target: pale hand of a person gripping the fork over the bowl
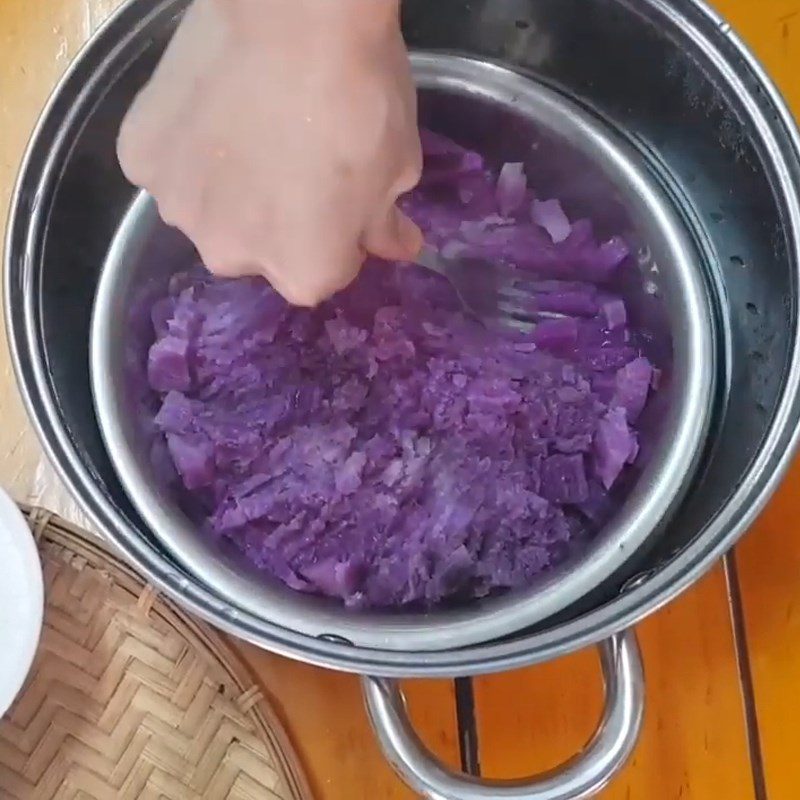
[{"x": 278, "y": 135}]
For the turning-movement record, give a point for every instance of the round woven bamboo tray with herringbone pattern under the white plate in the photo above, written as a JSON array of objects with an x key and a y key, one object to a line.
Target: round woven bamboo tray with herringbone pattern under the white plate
[{"x": 131, "y": 698}]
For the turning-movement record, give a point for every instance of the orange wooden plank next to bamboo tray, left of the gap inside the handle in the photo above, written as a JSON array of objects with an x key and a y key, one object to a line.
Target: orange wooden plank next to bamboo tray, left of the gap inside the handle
[{"x": 325, "y": 716}]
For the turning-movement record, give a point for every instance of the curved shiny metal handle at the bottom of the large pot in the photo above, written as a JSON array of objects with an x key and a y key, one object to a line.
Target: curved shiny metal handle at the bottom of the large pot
[{"x": 581, "y": 777}]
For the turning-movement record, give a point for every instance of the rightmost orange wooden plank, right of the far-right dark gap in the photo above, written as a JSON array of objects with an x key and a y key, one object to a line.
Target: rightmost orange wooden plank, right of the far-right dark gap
[{"x": 768, "y": 560}]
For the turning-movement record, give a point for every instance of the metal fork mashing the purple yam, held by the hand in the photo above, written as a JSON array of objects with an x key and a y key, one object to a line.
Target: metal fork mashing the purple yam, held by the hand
[{"x": 491, "y": 292}]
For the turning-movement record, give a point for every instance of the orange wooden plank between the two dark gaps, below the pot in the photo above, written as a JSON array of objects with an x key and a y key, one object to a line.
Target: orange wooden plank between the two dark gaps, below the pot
[{"x": 694, "y": 744}]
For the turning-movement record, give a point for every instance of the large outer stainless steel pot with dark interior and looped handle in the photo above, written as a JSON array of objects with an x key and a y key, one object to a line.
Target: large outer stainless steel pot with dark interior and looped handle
[{"x": 671, "y": 79}]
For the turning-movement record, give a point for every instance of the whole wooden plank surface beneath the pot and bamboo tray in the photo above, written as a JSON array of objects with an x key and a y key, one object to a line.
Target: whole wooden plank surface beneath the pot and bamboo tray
[{"x": 723, "y": 662}]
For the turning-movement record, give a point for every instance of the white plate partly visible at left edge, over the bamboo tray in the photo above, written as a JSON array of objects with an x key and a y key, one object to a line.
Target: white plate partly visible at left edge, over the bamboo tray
[{"x": 21, "y": 601}]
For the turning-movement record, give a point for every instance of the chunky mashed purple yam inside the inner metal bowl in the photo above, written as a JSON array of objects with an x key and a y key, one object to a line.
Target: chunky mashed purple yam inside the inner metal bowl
[{"x": 387, "y": 450}]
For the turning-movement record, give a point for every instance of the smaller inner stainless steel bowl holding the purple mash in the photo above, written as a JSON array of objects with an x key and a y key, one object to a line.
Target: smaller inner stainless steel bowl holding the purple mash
[{"x": 455, "y": 89}]
